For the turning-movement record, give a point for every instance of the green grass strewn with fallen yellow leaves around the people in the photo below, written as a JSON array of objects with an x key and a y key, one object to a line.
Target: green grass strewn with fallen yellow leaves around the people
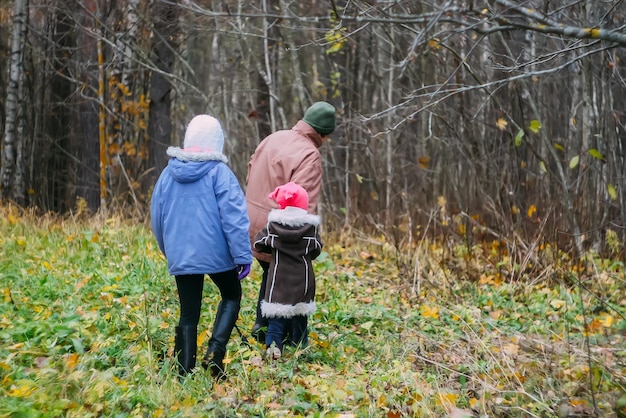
[{"x": 88, "y": 313}]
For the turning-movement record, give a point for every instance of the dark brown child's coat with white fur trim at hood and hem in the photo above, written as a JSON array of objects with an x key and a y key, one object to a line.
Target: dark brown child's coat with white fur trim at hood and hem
[{"x": 292, "y": 239}]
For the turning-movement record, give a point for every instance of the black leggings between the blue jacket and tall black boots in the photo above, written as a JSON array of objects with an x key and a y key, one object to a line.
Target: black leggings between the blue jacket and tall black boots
[{"x": 190, "y": 293}]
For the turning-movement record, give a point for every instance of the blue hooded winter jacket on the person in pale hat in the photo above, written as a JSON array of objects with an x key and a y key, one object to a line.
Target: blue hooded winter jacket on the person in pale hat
[{"x": 199, "y": 218}]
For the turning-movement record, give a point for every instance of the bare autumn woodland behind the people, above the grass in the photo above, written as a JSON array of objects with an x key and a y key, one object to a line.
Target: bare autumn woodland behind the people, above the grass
[{"x": 478, "y": 120}]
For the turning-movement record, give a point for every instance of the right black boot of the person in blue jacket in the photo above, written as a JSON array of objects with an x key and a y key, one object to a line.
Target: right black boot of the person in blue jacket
[{"x": 225, "y": 319}]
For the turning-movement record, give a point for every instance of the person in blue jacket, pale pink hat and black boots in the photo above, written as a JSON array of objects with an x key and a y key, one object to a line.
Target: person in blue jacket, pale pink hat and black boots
[{"x": 200, "y": 221}]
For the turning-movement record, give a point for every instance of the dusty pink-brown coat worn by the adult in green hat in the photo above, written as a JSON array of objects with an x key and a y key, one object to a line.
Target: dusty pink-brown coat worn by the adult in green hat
[{"x": 284, "y": 156}]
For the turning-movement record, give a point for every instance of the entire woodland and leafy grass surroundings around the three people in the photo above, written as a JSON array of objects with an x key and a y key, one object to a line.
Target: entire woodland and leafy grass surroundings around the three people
[{"x": 473, "y": 203}]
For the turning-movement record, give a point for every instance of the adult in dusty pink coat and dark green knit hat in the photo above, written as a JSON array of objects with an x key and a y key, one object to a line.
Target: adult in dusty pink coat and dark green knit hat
[{"x": 284, "y": 156}]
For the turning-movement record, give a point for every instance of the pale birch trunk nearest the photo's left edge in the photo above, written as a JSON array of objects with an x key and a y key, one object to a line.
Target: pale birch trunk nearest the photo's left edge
[{"x": 11, "y": 189}]
